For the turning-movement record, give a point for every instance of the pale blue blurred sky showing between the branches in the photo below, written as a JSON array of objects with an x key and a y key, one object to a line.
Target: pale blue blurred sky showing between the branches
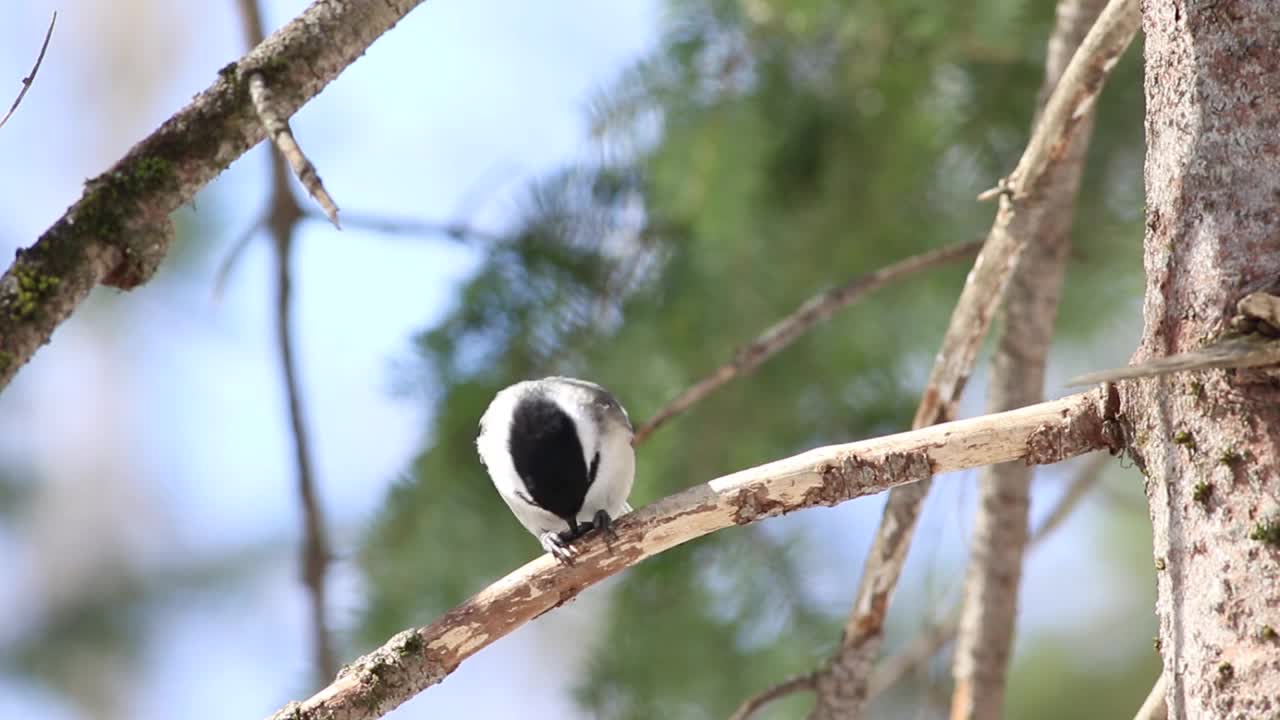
[{"x": 156, "y": 420}]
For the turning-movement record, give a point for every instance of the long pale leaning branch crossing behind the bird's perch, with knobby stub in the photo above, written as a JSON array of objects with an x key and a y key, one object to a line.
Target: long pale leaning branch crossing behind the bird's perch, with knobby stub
[{"x": 843, "y": 687}]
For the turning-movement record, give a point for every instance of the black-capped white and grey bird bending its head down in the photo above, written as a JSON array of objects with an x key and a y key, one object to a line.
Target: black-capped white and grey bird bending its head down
[{"x": 560, "y": 453}]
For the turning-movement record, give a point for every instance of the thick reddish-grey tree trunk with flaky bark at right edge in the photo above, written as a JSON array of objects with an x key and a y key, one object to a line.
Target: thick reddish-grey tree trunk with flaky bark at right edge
[{"x": 1209, "y": 441}]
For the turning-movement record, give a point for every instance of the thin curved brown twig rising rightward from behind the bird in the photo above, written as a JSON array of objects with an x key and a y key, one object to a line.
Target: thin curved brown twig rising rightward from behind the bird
[{"x": 803, "y": 320}]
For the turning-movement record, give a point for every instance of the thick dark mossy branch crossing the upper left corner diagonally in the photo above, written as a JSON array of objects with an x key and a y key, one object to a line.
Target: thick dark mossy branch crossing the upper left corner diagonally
[{"x": 120, "y": 230}]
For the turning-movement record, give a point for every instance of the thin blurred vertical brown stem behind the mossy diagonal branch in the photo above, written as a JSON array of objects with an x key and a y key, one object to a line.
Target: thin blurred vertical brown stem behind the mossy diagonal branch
[{"x": 282, "y": 221}]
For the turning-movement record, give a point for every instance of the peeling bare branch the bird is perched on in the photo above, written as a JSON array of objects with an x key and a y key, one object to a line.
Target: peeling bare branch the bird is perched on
[{"x": 414, "y": 660}]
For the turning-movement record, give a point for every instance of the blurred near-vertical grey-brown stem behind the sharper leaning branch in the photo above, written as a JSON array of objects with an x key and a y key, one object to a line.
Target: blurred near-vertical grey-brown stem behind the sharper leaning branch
[{"x": 1017, "y": 380}]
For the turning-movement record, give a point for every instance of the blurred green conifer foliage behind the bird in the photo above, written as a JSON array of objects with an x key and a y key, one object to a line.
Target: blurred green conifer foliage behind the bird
[{"x": 765, "y": 152}]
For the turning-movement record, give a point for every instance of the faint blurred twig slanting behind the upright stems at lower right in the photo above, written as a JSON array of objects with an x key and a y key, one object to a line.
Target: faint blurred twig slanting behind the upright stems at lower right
[{"x": 932, "y": 641}]
